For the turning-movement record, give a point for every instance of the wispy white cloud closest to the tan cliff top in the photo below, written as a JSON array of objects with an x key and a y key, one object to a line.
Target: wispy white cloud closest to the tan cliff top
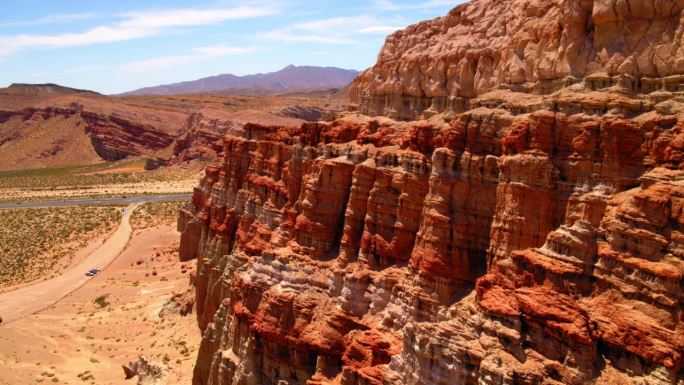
[{"x": 335, "y": 30}]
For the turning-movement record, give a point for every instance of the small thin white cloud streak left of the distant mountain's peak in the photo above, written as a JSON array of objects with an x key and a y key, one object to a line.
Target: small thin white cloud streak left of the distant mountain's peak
[{"x": 199, "y": 53}]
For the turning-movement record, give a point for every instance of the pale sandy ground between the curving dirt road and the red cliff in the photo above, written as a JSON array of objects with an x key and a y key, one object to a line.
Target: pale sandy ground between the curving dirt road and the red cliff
[{"x": 75, "y": 335}]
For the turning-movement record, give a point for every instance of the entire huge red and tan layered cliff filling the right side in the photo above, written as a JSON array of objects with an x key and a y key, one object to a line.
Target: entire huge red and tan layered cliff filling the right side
[{"x": 534, "y": 238}]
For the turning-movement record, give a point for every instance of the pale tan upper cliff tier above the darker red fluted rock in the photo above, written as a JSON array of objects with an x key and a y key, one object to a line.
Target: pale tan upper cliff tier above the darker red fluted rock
[{"x": 535, "y": 46}]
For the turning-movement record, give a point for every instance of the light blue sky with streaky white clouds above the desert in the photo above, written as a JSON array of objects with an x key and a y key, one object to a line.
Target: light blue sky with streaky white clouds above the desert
[{"x": 117, "y": 46}]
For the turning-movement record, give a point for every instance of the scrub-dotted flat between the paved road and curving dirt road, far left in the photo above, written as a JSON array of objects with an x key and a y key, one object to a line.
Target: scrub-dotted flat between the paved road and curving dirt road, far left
[{"x": 39, "y": 243}]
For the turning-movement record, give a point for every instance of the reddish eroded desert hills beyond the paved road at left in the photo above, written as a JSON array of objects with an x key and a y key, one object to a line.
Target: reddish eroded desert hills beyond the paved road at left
[{"x": 54, "y": 126}]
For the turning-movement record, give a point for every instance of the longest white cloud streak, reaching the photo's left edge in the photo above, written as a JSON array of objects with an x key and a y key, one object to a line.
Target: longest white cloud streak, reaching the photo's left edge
[{"x": 135, "y": 25}]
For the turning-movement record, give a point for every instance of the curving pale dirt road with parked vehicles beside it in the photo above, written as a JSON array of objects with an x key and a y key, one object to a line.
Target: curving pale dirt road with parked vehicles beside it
[{"x": 28, "y": 300}]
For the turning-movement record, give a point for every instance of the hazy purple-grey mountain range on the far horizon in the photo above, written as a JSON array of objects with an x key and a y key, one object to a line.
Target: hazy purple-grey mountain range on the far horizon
[{"x": 288, "y": 80}]
